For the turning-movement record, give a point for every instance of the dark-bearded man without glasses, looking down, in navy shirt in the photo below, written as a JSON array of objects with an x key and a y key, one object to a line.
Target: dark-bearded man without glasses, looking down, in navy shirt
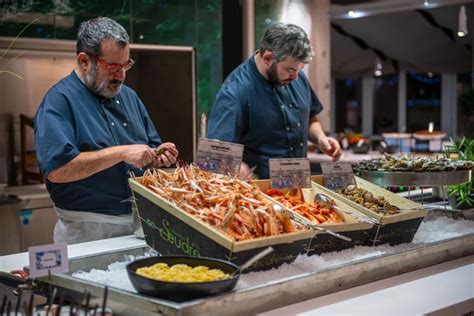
[{"x": 268, "y": 105}]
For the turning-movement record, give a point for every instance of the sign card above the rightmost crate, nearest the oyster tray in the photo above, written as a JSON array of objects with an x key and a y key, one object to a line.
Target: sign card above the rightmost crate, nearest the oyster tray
[{"x": 337, "y": 175}]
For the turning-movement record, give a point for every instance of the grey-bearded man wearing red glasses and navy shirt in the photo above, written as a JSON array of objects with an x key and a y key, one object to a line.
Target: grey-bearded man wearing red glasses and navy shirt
[{"x": 91, "y": 131}]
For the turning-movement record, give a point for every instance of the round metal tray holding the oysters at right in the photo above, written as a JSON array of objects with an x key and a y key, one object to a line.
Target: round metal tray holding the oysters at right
[{"x": 428, "y": 179}]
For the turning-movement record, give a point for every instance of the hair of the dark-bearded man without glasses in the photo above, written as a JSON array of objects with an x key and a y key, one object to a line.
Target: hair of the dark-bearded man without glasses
[{"x": 287, "y": 40}]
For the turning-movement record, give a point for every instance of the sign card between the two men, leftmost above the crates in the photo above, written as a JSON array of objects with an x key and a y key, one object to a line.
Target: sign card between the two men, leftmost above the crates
[{"x": 219, "y": 157}]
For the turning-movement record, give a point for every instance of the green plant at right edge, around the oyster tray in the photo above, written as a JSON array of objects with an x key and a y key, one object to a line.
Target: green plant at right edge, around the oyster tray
[{"x": 462, "y": 149}]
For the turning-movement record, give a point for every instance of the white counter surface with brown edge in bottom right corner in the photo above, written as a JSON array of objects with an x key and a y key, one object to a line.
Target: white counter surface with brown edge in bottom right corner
[{"x": 413, "y": 293}]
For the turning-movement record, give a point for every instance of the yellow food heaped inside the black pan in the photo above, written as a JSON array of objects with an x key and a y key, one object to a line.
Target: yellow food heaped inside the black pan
[{"x": 181, "y": 273}]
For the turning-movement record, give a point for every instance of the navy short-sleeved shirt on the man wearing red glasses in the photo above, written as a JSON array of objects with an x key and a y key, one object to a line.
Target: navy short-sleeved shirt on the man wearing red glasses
[{"x": 71, "y": 120}]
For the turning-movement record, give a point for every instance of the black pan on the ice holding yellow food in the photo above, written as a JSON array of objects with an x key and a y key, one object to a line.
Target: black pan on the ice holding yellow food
[{"x": 182, "y": 291}]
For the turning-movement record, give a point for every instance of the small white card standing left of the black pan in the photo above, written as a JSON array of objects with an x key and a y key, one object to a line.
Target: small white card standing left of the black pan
[{"x": 48, "y": 257}]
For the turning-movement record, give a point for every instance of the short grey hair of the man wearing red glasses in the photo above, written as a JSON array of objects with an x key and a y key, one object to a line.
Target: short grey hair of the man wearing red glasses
[{"x": 93, "y": 32}]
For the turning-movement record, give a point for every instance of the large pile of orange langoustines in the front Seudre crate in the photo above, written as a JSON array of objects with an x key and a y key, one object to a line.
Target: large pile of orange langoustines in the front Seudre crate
[{"x": 231, "y": 206}]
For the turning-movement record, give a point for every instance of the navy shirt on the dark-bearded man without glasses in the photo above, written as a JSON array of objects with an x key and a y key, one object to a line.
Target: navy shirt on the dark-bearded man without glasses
[{"x": 271, "y": 121}]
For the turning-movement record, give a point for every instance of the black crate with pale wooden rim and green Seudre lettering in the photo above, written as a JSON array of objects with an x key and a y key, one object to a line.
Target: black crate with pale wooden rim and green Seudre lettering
[{"x": 171, "y": 231}]
